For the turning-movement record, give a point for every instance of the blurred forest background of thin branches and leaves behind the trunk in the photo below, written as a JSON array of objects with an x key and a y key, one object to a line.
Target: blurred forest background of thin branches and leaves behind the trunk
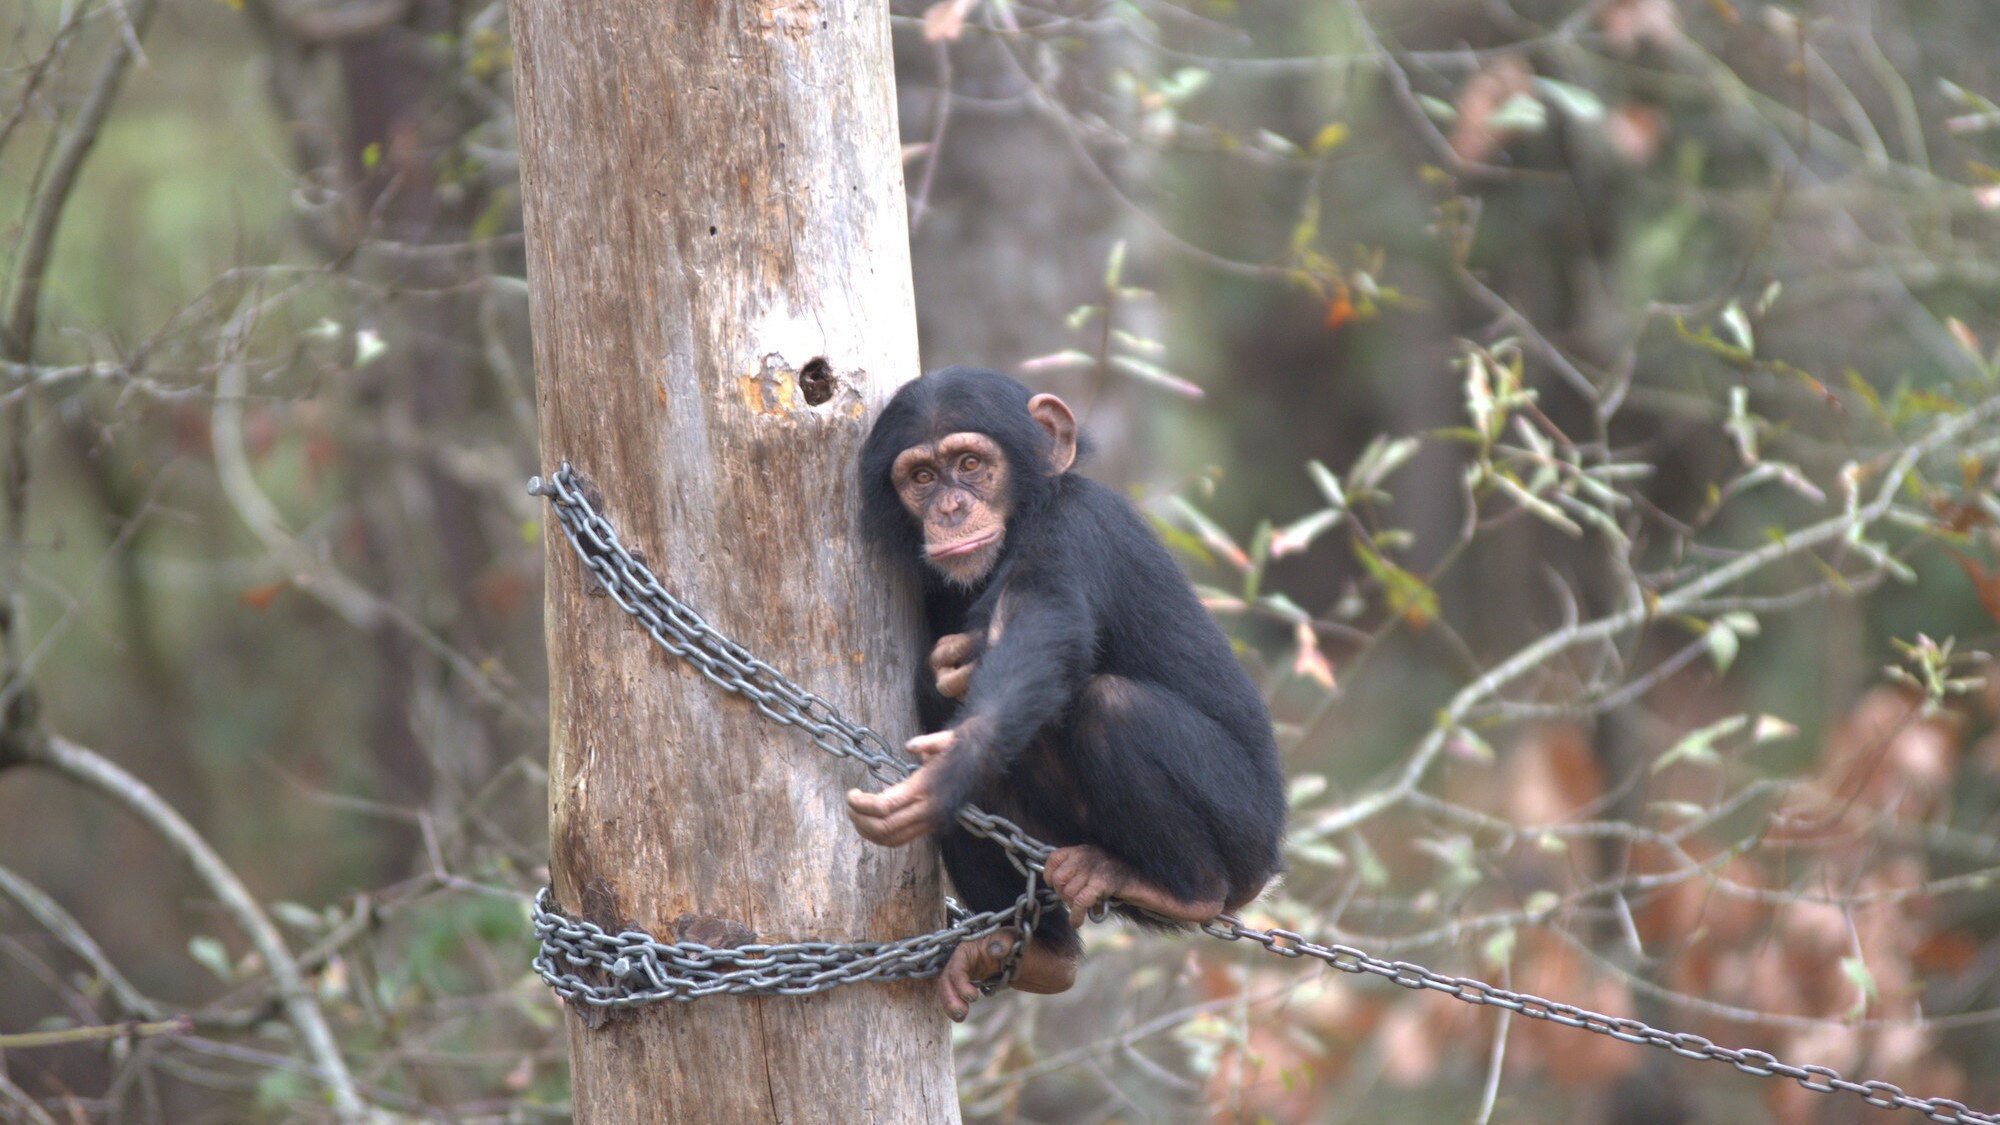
[{"x": 1585, "y": 417}]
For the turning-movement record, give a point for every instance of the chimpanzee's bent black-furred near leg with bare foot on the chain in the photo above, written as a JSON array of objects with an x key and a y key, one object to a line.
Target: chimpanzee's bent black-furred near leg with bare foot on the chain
[{"x": 1177, "y": 814}]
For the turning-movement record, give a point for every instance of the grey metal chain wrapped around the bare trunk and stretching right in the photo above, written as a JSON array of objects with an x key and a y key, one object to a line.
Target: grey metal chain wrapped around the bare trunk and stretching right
[{"x": 595, "y": 968}]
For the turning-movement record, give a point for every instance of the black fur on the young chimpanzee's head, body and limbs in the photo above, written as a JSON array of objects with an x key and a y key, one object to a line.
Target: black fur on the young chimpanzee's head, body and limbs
[{"x": 1111, "y": 712}]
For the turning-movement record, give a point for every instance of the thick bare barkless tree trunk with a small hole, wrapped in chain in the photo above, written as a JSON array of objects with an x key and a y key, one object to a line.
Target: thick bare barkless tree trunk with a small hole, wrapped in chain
[{"x": 713, "y": 201}]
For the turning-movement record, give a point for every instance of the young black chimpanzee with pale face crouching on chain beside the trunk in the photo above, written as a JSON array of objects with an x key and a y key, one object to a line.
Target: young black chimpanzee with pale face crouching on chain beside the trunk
[{"x": 1075, "y": 684}]
